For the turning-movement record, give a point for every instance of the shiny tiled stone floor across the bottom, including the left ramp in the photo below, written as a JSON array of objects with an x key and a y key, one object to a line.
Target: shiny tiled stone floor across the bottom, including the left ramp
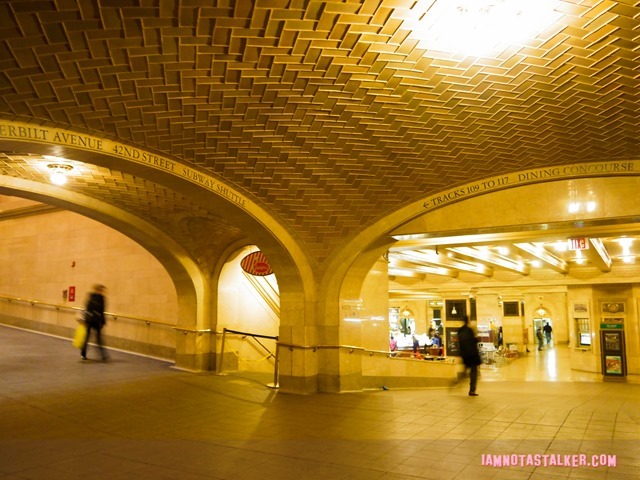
[{"x": 137, "y": 418}]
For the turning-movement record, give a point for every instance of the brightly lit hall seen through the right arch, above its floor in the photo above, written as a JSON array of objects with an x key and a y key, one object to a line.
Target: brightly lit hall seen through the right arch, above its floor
[{"x": 498, "y": 254}]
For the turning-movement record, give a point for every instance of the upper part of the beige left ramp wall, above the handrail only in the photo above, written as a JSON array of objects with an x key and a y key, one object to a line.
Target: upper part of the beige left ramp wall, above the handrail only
[{"x": 41, "y": 256}]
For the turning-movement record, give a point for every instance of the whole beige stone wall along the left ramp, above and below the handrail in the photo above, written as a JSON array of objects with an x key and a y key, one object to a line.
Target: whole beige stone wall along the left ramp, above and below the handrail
[{"x": 42, "y": 255}]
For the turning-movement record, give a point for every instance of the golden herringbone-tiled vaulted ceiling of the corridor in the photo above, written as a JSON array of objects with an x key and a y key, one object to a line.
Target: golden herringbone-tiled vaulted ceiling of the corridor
[{"x": 330, "y": 114}]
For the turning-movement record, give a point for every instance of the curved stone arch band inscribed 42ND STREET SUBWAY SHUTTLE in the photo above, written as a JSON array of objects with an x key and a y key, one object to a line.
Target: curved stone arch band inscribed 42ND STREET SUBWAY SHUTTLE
[{"x": 285, "y": 251}]
